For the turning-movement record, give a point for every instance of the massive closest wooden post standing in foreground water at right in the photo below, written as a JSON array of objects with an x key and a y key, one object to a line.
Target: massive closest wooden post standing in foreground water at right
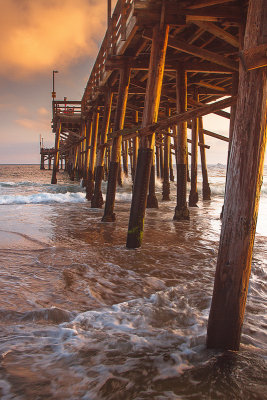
[{"x": 242, "y": 195}]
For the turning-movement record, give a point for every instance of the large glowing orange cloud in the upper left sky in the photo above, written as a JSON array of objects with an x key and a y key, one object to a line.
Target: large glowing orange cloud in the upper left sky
[{"x": 39, "y": 35}]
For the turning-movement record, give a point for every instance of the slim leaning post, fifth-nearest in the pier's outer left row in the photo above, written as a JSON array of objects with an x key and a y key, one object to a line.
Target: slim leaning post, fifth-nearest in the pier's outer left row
[{"x": 91, "y": 169}]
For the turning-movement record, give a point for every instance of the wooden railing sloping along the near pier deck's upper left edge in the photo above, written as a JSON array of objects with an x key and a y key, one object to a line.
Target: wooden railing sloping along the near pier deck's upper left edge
[{"x": 115, "y": 34}]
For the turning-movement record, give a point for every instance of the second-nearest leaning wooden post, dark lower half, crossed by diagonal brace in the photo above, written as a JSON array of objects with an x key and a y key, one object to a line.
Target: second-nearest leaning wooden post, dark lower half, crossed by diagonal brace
[{"x": 145, "y": 154}]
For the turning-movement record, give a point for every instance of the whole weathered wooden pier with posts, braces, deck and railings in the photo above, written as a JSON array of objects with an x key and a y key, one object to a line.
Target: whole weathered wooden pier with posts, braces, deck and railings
[{"x": 162, "y": 66}]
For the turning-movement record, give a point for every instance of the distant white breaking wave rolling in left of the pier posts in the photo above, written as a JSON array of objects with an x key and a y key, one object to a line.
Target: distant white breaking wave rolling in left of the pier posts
[{"x": 43, "y": 198}]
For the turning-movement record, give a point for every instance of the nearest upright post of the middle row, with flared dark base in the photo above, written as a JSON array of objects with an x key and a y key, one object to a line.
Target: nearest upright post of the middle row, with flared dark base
[{"x": 181, "y": 209}]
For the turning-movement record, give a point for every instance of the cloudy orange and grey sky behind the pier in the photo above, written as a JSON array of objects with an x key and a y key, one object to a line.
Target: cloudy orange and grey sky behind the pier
[{"x": 38, "y": 36}]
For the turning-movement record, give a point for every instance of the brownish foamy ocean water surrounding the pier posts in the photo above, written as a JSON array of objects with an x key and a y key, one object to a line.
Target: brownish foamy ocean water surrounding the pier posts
[{"x": 82, "y": 317}]
